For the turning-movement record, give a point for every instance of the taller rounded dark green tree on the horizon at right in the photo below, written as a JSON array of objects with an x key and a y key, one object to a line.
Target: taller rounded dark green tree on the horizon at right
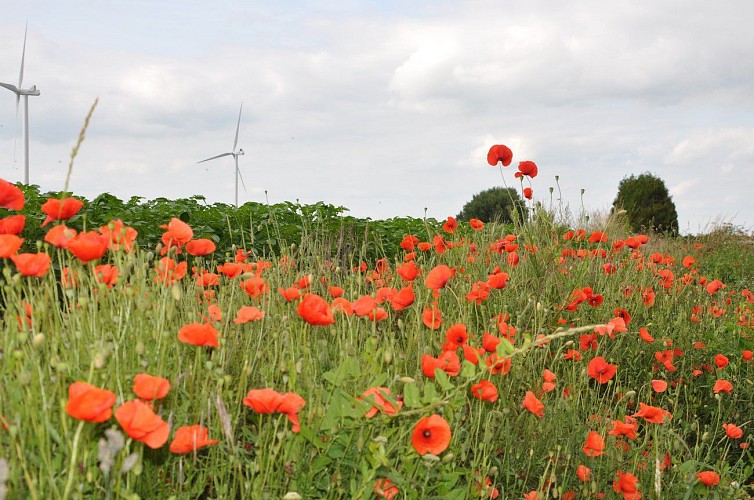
[{"x": 647, "y": 204}]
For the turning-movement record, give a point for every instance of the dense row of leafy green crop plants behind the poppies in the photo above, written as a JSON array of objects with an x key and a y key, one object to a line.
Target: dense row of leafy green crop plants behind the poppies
[{"x": 263, "y": 229}]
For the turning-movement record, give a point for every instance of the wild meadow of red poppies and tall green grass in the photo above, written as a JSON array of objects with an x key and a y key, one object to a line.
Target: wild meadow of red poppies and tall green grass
[{"x": 458, "y": 360}]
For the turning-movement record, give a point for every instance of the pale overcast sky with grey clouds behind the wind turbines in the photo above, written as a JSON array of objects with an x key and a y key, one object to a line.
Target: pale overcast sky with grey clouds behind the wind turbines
[{"x": 389, "y": 107}]
